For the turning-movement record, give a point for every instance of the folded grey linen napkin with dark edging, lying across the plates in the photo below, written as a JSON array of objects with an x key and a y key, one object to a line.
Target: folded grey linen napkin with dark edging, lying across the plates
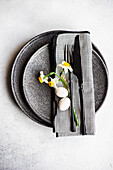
[{"x": 62, "y": 119}]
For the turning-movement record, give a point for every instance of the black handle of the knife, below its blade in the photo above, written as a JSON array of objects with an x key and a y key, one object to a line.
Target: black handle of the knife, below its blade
[{"x": 82, "y": 110}]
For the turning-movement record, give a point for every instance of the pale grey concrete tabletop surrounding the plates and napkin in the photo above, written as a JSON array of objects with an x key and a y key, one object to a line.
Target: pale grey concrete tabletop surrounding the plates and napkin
[{"x": 24, "y": 144}]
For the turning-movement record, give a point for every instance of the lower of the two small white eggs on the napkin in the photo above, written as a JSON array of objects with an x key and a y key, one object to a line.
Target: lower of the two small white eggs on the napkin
[{"x": 64, "y": 104}]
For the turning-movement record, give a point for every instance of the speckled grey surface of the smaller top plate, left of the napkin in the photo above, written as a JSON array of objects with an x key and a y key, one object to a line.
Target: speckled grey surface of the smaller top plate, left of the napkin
[{"x": 38, "y": 95}]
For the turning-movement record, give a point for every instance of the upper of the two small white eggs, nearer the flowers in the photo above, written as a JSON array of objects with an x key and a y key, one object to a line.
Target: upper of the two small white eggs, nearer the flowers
[{"x": 61, "y": 92}]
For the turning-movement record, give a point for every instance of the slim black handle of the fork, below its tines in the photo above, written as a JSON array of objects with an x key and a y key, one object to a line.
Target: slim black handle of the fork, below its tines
[{"x": 73, "y": 124}]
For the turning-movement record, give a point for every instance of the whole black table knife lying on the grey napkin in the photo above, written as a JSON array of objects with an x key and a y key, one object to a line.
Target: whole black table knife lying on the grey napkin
[{"x": 77, "y": 70}]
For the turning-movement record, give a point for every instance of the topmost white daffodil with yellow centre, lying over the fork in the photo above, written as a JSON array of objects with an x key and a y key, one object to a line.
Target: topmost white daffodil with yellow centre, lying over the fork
[{"x": 66, "y": 66}]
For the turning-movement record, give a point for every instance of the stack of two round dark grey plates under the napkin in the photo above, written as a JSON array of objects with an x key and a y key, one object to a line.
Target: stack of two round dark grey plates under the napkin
[{"x": 35, "y": 99}]
